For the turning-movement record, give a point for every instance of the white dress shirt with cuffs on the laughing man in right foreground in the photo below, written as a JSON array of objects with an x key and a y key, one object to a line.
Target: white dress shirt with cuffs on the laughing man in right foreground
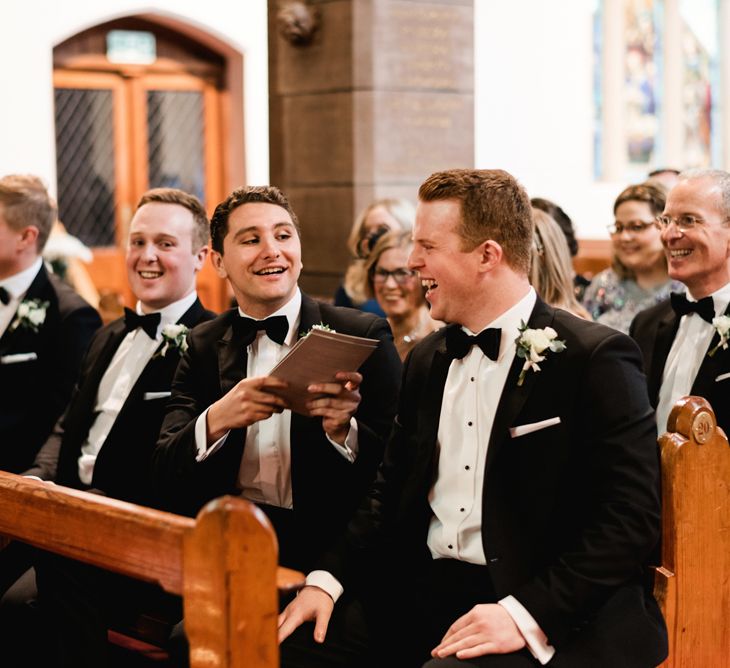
[{"x": 472, "y": 392}]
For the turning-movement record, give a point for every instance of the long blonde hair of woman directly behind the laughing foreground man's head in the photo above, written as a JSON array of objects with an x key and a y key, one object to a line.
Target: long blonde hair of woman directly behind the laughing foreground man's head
[{"x": 551, "y": 268}]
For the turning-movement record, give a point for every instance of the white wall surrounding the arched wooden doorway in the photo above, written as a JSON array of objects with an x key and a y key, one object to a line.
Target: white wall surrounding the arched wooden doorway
[{"x": 29, "y": 30}]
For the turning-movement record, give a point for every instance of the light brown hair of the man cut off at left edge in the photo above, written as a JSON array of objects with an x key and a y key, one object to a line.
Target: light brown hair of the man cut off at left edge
[{"x": 25, "y": 201}]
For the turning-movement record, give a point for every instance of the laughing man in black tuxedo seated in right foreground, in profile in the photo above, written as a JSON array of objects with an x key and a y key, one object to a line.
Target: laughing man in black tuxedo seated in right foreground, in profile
[{"x": 518, "y": 500}]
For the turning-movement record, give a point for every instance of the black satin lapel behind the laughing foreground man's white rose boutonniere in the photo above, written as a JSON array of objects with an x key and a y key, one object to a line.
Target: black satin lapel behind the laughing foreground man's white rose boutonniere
[{"x": 514, "y": 396}]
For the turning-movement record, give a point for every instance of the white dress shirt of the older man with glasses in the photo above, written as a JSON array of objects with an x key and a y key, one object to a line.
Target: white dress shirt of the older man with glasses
[{"x": 686, "y": 355}]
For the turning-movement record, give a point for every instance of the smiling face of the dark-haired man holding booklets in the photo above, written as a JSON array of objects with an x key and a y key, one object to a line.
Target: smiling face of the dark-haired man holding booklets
[{"x": 262, "y": 257}]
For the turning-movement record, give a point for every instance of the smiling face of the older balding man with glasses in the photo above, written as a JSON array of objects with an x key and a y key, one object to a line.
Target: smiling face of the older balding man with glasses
[{"x": 698, "y": 257}]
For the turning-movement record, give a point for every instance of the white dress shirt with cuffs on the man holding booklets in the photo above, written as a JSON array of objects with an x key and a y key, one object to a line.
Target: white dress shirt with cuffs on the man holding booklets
[{"x": 265, "y": 472}]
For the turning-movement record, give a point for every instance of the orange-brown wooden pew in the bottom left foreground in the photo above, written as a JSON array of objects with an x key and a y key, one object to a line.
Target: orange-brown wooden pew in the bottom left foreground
[{"x": 223, "y": 563}]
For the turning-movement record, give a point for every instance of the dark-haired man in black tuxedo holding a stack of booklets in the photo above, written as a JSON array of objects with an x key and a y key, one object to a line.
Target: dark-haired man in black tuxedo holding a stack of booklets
[{"x": 226, "y": 433}]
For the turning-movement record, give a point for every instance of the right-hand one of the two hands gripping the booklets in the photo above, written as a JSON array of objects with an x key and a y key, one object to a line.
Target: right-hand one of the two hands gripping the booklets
[{"x": 338, "y": 405}]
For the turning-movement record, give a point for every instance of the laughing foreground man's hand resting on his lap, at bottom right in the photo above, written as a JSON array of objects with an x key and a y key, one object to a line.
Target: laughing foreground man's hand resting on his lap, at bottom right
[{"x": 485, "y": 629}]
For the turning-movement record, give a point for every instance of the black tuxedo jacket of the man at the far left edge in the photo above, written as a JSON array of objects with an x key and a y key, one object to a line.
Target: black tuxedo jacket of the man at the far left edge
[{"x": 35, "y": 391}]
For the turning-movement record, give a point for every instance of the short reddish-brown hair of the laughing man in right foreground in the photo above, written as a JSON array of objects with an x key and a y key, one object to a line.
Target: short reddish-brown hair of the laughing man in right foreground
[{"x": 493, "y": 206}]
